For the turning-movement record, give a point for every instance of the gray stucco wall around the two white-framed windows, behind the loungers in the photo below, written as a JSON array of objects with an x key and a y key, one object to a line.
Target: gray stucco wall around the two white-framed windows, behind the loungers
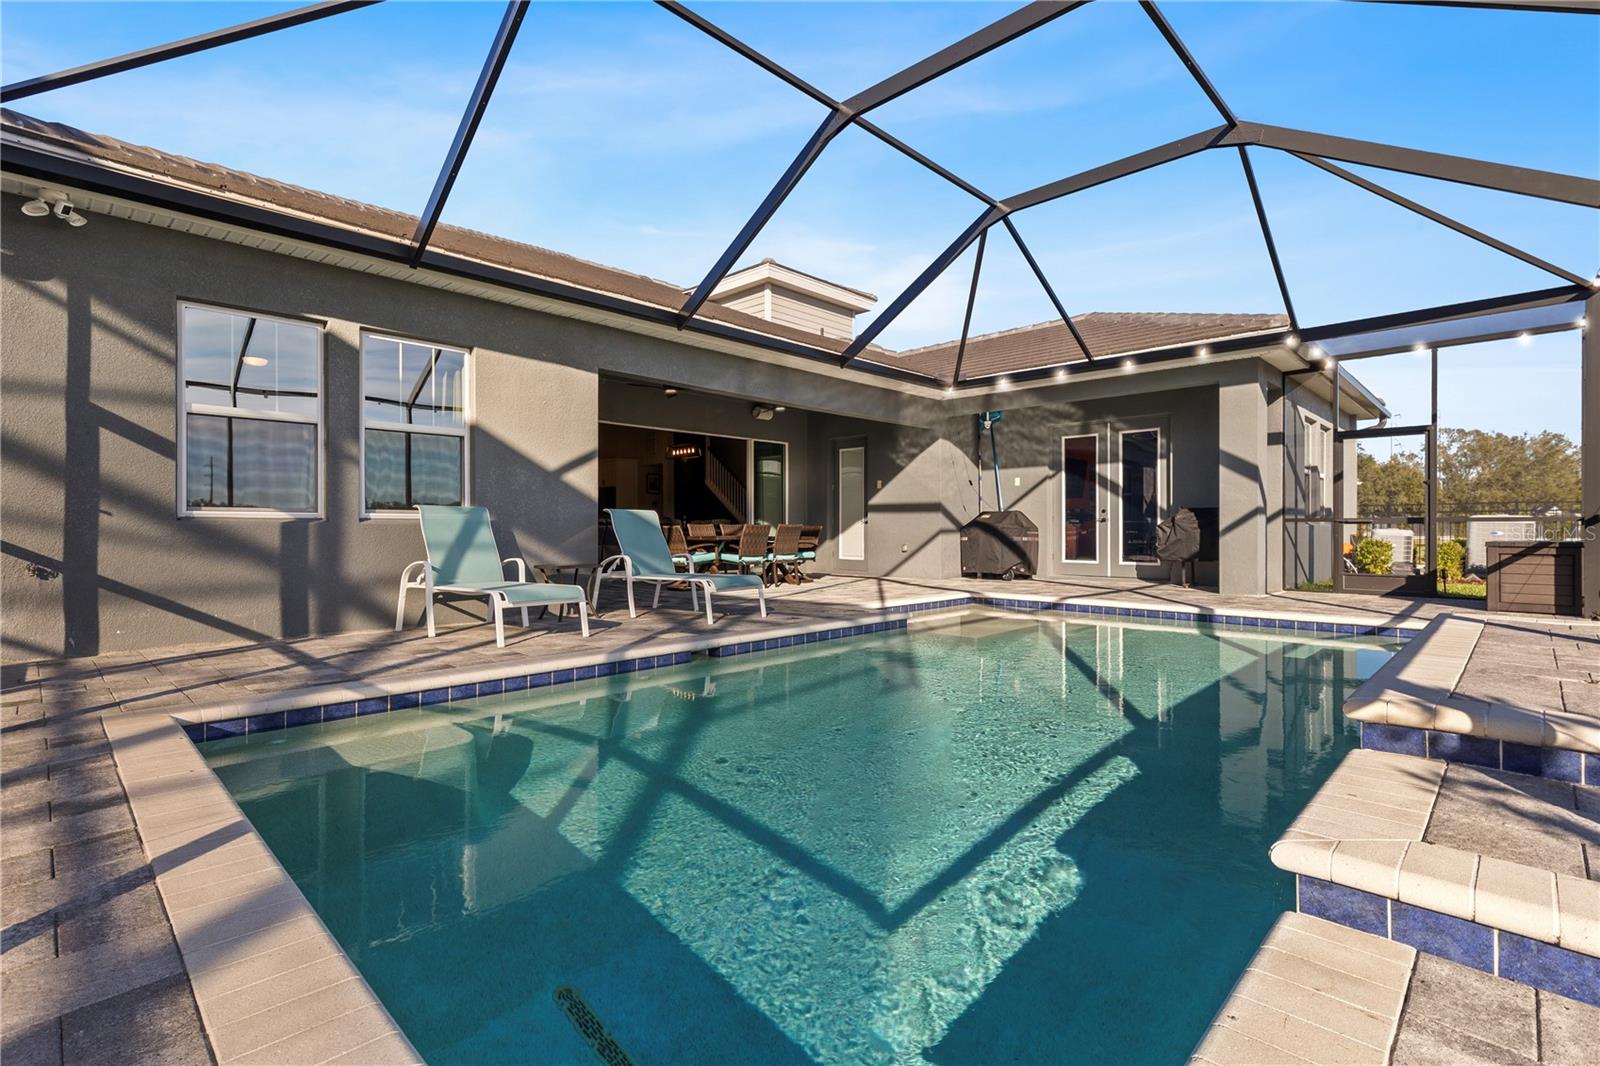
[{"x": 95, "y": 559}]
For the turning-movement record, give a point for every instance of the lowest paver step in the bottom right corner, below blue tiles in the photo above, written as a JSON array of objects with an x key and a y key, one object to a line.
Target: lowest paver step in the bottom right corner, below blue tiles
[{"x": 1321, "y": 993}]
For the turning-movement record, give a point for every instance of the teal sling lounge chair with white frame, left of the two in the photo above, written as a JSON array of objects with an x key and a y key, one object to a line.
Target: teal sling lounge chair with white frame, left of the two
[{"x": 463, "y": 561}]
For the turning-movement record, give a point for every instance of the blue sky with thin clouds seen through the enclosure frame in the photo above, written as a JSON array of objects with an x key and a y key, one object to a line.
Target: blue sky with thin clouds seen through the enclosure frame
[{"x": 622, "y": 135}]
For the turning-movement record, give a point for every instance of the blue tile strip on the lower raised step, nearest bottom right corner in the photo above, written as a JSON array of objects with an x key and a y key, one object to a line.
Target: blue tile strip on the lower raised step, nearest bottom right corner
[{"x": 1486, "y": 948}]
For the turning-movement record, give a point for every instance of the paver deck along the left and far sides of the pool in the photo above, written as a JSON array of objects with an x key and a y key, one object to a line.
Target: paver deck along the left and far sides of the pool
[{"x": 113, "y": 822}]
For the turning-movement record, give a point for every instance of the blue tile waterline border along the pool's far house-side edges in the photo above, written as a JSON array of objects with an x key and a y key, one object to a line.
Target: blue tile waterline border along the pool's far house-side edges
[{"x": 898, "y": 617}]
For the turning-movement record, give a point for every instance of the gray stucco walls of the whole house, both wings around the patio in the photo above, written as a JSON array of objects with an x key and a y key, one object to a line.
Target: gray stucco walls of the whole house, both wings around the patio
[{"x": 97, "y": 561}]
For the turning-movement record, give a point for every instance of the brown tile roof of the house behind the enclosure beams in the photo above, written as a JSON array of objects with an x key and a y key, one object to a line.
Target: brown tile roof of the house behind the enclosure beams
[{"x": 1042, "y": 345}]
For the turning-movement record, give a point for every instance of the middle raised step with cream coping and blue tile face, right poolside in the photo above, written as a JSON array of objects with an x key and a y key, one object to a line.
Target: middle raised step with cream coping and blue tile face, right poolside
[{"x": 1476, "y": 867}]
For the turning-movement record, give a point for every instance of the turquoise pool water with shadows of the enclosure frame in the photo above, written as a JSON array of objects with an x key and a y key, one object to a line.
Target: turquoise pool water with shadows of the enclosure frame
[{"x": 994, "y": 840}]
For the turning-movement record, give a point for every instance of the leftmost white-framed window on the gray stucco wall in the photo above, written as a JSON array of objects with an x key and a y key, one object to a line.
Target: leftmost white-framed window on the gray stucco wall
[{"x": 252, "y": 414}]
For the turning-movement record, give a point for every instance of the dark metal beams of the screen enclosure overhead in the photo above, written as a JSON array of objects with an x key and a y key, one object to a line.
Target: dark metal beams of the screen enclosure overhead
[{"x": 1073, "y": 351}]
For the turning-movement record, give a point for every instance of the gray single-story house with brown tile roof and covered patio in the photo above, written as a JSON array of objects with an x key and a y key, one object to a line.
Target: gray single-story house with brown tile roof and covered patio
[{"x": 217, "y": 422}]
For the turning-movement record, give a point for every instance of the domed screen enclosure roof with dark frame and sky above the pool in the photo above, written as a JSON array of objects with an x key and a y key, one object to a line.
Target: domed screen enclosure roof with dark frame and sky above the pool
[{"x": 986, "y": 172}]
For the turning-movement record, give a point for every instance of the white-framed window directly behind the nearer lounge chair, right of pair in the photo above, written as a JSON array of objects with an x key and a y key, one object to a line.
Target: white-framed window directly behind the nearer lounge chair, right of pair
[{"x": 414, "y": 425}]
